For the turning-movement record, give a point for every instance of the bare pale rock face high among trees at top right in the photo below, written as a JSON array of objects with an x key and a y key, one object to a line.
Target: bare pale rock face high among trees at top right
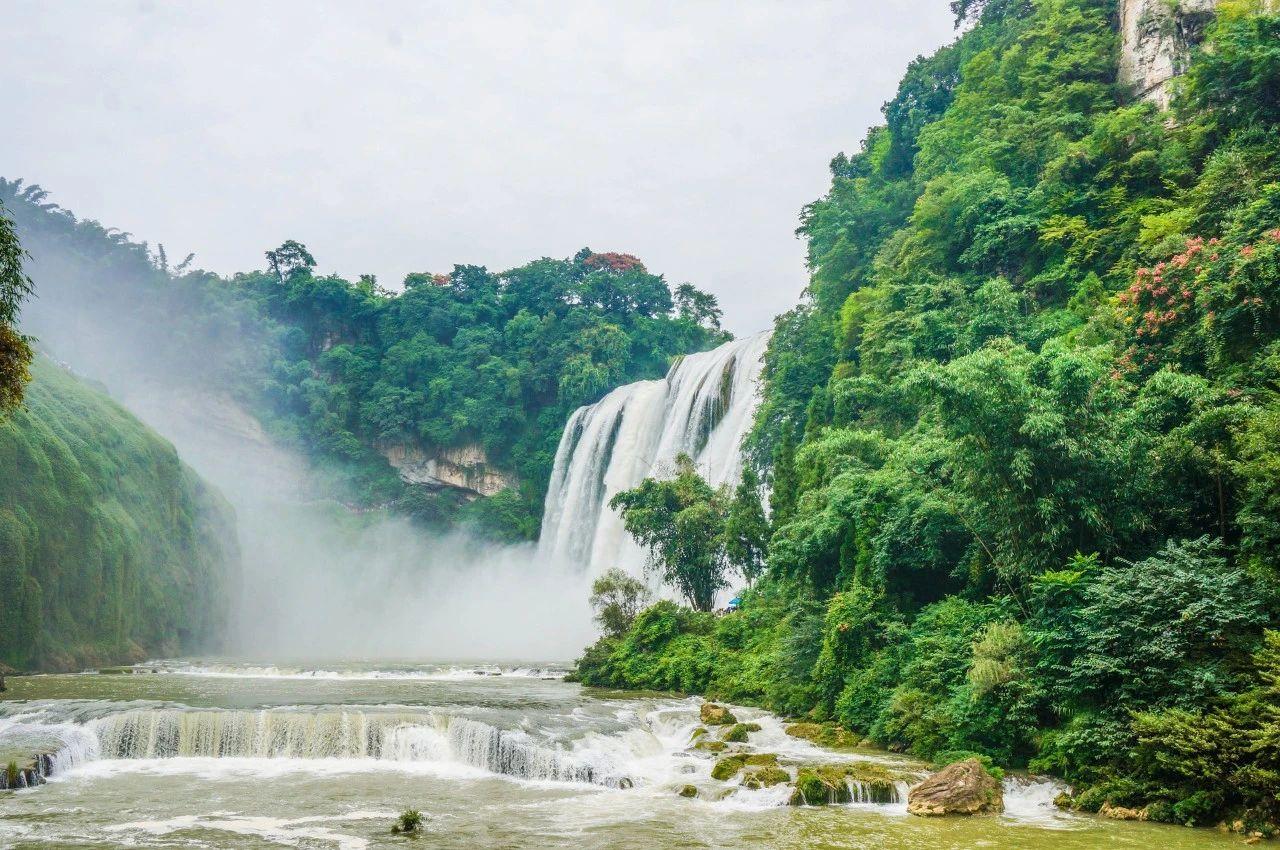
[{"x": 1158, "y": 38}]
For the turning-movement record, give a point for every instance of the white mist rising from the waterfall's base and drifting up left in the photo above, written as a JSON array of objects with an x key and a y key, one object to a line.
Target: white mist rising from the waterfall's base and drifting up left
[{"x": 318, "y": 581}]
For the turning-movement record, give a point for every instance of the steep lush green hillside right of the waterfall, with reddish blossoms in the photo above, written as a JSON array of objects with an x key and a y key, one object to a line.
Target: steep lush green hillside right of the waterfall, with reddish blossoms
[{"x": 1023, "y": 436}]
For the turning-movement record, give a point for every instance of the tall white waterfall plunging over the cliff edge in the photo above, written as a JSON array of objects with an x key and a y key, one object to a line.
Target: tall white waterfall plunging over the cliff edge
[{"x": 705, "y": 409}]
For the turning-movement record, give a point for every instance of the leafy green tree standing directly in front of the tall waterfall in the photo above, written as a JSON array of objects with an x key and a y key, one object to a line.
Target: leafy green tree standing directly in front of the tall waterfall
[{"x": 682, "y": 522}]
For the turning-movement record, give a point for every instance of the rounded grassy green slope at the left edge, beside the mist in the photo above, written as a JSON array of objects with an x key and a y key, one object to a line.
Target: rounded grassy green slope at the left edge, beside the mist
[{"x": 111, "y": 550}]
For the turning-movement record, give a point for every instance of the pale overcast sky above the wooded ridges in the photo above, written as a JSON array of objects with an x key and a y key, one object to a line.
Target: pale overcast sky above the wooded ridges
[{"x": 396, "y": 138}]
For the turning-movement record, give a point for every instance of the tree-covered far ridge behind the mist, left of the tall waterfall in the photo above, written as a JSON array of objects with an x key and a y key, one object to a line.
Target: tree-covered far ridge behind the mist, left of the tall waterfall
[{"x": 344, "y": 371}]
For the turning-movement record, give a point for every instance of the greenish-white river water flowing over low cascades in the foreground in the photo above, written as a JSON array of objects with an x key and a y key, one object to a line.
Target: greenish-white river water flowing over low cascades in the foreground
[{"x": 199, "y": 755}]
